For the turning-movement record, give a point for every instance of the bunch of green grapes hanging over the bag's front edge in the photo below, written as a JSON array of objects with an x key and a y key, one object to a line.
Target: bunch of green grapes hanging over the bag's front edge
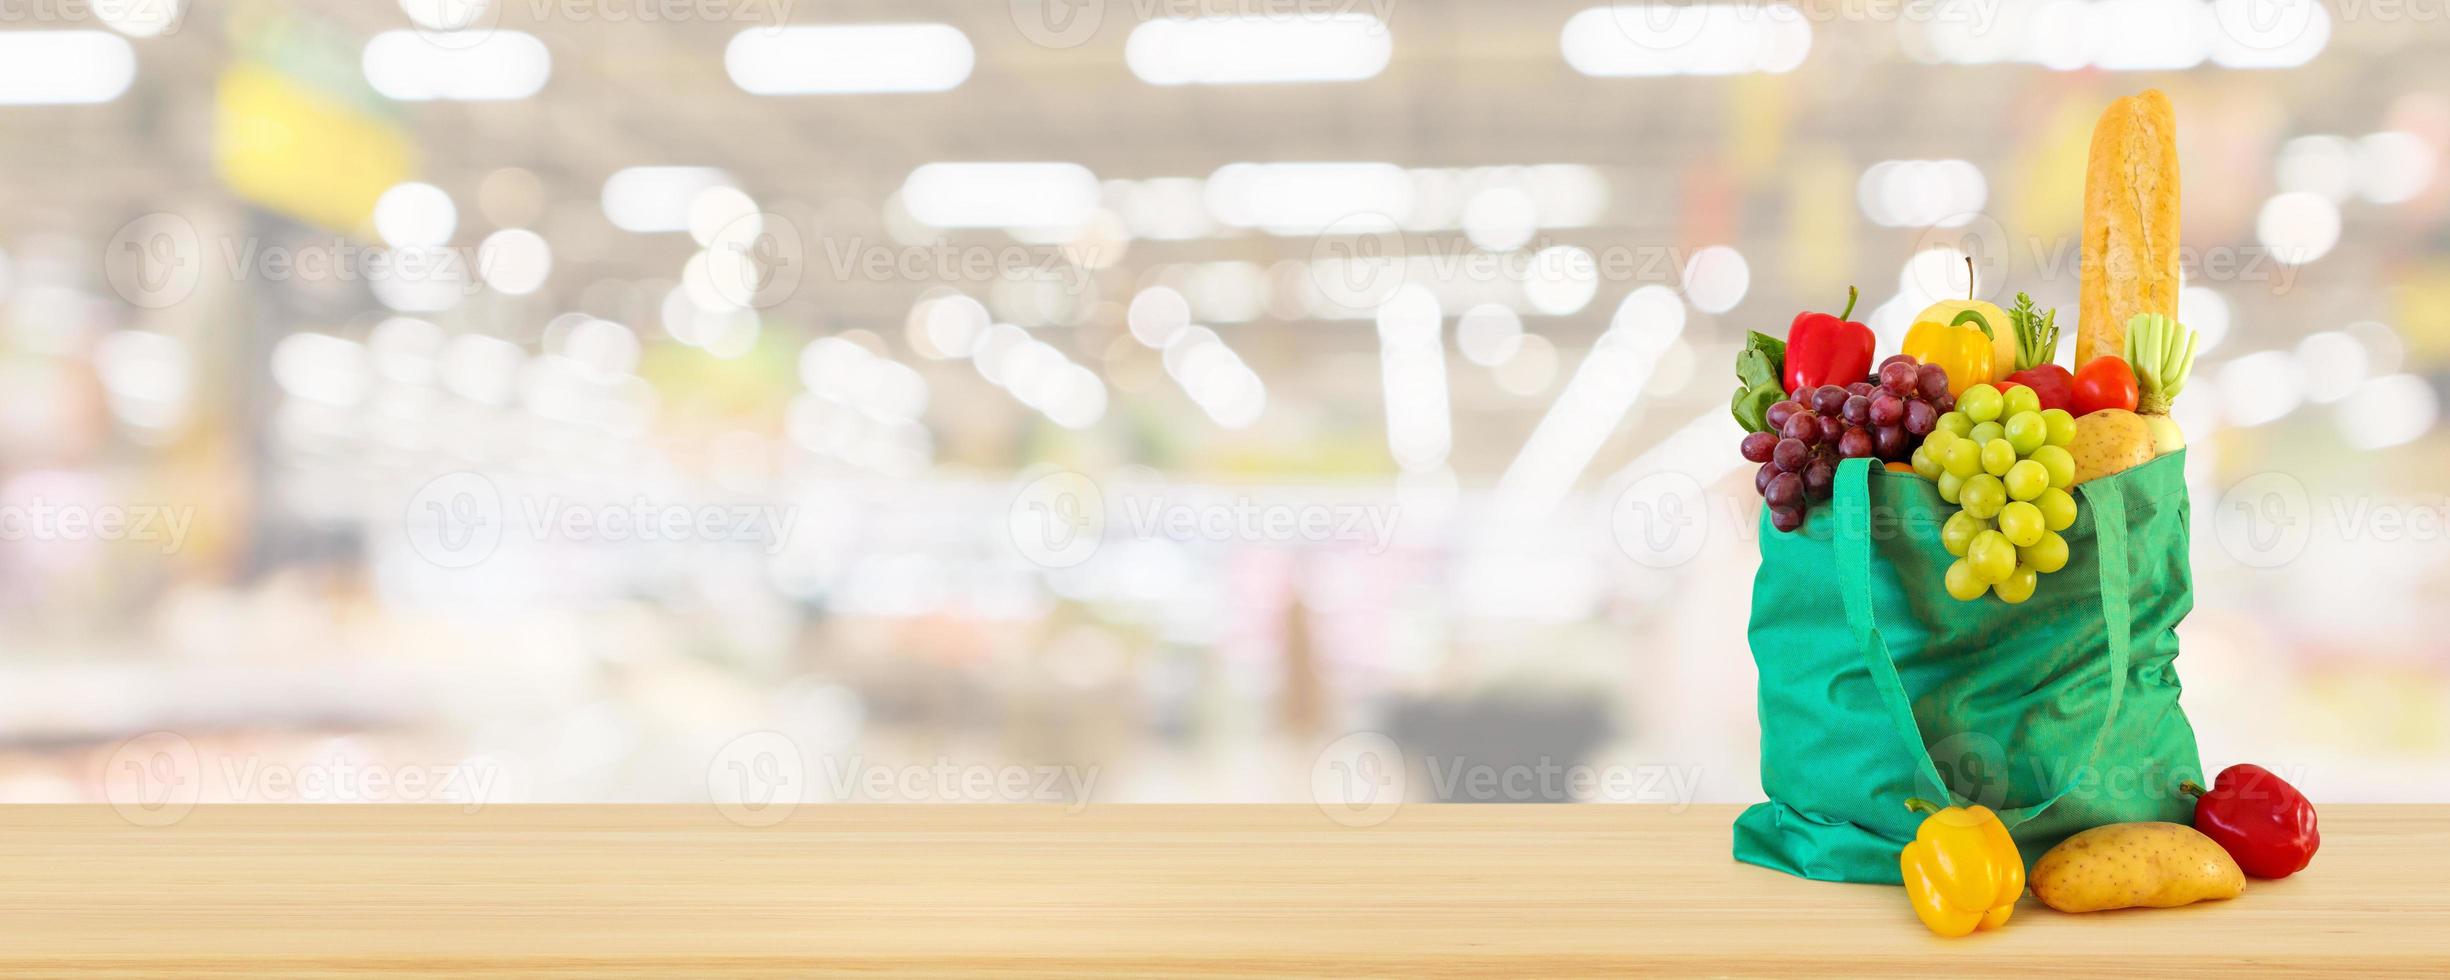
[{"x": 2003, "y": 459}]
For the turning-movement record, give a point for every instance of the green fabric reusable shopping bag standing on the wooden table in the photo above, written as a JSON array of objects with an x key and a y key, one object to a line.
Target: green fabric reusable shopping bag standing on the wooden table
[{"x": 2062, "y": 714}]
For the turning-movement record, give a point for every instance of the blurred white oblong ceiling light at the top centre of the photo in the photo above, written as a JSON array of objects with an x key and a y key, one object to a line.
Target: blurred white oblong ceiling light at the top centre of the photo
[{"x": 1258, "y": 50}]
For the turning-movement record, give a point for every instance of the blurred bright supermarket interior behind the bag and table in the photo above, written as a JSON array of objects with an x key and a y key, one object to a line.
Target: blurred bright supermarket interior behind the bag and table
[{"x": 611, "y": 398}]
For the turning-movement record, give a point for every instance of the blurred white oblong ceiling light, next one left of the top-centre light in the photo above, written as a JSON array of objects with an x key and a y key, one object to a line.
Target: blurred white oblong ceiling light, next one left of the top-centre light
[{"x": 839, "y": 60}]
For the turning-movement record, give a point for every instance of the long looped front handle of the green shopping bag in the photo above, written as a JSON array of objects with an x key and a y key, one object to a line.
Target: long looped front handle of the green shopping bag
[{"x": 1853, "y": 540}]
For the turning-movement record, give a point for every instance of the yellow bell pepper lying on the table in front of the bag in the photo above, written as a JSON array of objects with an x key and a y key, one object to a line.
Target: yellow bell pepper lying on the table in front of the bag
[{"x": 1961, "y": 871}]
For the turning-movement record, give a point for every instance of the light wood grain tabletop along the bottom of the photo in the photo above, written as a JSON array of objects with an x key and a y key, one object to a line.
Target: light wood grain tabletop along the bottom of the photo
[{"x": 1106, "y": 891}]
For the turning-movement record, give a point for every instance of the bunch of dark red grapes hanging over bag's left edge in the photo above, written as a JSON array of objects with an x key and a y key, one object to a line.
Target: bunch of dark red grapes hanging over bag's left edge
[{"x": 1880, "y": 418}]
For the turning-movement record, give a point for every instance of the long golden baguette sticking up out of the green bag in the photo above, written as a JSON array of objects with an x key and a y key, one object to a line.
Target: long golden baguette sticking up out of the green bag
[{"x": 2130, "y": 261}]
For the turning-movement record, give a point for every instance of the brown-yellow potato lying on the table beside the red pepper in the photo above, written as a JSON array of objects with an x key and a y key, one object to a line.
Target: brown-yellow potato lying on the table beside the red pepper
[{"x": 2135, "y": 866}]
